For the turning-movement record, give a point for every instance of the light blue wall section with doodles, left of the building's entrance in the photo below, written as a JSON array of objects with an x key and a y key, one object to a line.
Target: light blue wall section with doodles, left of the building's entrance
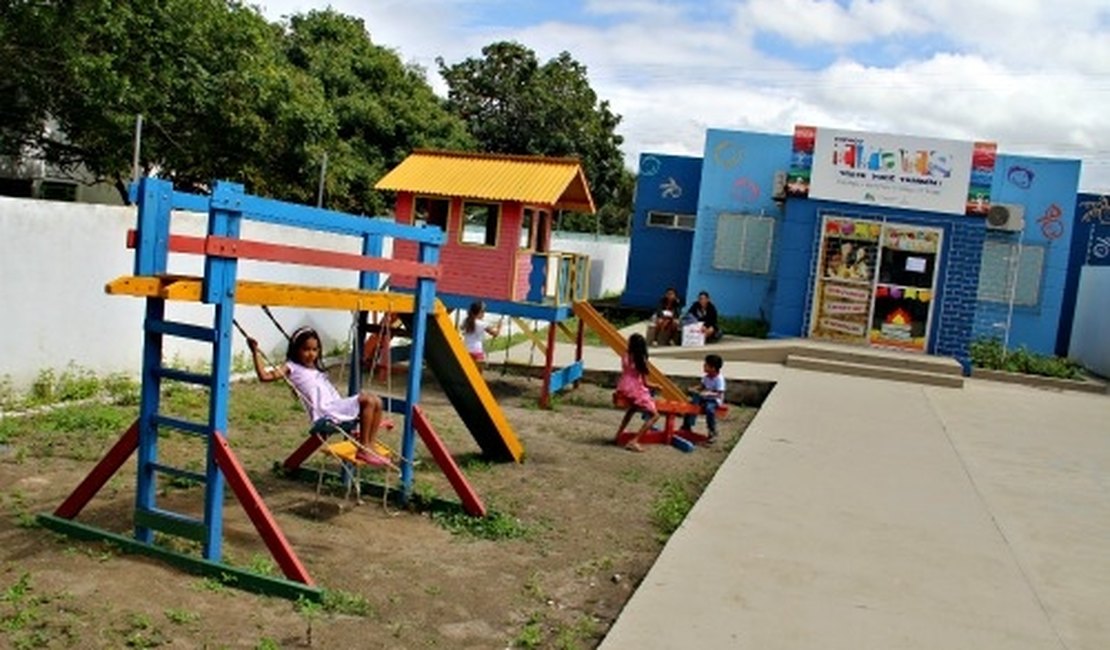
[{"x": 738, "y": 177}]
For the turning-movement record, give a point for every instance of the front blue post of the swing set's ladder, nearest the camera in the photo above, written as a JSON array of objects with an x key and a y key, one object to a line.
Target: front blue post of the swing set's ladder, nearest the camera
[{"x": 225, "y": 219}]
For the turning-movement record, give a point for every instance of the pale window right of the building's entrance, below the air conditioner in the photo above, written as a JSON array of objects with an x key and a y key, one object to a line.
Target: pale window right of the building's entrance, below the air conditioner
[{"x": 1008, "y": 270}]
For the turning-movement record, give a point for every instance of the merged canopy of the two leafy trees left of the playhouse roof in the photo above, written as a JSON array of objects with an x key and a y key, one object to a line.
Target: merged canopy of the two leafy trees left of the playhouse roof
[{"x": 224, "y": 94}]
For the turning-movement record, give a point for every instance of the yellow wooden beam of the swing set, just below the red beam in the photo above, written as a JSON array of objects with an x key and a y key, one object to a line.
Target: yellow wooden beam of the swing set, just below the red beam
[{"x": 188, "y": 289}]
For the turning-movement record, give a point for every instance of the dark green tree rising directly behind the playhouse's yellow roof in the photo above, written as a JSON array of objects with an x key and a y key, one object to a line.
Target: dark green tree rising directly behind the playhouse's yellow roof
[{"x": 514, "y": 105}]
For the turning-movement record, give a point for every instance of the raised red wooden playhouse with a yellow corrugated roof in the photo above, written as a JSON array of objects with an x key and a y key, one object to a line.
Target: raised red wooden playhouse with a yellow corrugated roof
[{"x": 497, "y": 214}]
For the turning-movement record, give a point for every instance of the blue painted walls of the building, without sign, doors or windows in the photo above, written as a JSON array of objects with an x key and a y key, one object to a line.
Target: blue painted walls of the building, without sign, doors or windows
[{"x": 738, "y": 176}]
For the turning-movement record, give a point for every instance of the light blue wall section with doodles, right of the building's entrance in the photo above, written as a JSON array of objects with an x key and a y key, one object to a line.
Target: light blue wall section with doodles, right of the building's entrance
[{"x": 1047, "y": 189}]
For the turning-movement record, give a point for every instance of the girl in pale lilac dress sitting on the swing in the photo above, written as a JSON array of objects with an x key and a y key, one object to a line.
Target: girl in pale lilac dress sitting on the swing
[{"x": 305, "y": 371}]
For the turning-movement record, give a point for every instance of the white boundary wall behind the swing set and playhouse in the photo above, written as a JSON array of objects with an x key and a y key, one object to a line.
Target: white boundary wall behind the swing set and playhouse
[{"x": 57, "y": 258}]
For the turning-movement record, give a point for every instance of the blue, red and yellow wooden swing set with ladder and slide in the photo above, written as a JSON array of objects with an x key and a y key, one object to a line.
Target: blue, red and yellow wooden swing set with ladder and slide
[{"x": 432, "y": 333}]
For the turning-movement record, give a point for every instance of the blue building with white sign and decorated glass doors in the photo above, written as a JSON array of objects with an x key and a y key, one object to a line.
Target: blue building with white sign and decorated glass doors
[{"x": 900, "y": 242}]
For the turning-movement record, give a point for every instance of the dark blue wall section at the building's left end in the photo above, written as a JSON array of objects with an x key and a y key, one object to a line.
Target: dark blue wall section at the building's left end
[{"x": 661, "y": 258}]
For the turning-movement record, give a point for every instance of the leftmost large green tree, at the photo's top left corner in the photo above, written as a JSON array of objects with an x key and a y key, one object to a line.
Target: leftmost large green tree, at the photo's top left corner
[{"x": 208, "y": 76}]
